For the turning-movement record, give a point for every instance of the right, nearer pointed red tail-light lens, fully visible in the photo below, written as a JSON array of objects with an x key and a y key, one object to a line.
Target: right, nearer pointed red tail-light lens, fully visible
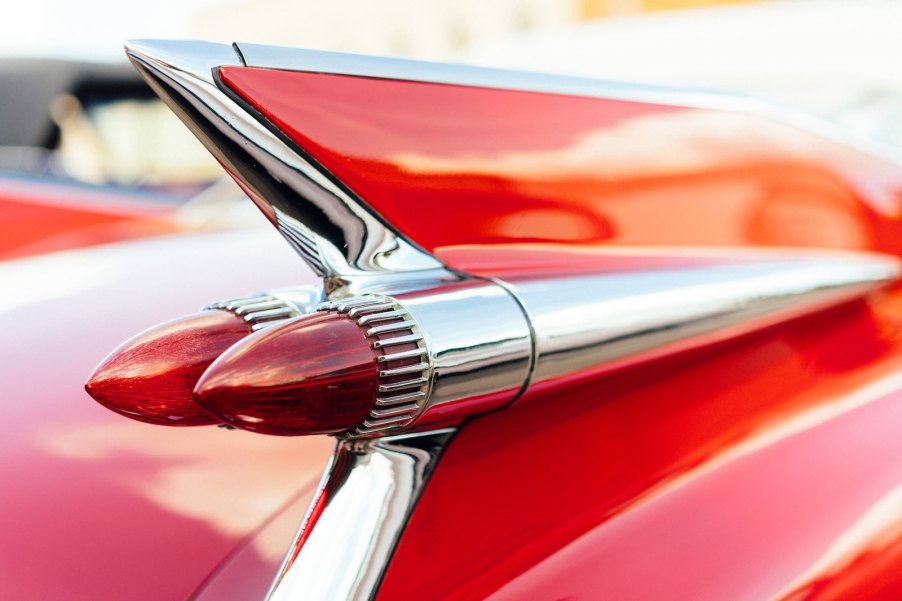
[{"x": 315, "y": 374}]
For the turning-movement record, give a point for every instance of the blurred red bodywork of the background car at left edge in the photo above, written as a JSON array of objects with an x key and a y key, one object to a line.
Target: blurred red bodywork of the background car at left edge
[{"x": 39, "y": 217}]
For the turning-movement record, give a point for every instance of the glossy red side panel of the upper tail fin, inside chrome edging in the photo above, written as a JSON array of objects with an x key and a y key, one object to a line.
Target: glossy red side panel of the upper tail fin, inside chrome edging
[{"x": 455, "y": 165}]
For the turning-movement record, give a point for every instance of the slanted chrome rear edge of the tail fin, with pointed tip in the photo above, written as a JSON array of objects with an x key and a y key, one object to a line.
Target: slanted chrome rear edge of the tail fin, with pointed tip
[{"x": 333, "y": 231}]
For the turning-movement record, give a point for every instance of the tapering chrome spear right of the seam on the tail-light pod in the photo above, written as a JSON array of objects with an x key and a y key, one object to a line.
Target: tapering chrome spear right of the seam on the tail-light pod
[{"x": 594, "y": 322}]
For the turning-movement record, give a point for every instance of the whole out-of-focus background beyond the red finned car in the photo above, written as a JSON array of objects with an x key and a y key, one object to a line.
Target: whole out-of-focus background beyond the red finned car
[{"x": 72, "y": 110}]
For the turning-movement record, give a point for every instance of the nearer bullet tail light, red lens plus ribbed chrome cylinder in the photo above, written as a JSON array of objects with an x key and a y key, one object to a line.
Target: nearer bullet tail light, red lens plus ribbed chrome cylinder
[{"x": 362, "y": 366}]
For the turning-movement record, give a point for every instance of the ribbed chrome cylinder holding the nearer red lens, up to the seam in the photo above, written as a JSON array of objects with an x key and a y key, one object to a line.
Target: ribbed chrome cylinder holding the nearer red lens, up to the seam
[{"x": 474, "y": 346}]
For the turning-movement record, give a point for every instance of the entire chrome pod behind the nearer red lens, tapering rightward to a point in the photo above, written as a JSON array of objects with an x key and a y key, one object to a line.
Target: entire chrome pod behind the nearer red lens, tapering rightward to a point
[{"x": 482, "y": 344}]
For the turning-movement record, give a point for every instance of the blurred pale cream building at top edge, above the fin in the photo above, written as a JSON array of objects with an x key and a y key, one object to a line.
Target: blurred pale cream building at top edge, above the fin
[{"x": 415, "y": 28}]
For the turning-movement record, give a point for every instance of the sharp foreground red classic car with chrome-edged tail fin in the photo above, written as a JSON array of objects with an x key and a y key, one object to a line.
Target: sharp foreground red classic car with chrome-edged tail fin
[{"x": 570, "y": 339}]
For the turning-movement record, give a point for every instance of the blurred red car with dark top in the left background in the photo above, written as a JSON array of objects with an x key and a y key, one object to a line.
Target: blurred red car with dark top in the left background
[{"x": 71, "y": 176}]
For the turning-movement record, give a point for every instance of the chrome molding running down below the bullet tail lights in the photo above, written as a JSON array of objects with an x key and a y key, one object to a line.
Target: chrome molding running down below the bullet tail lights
[{"x": 350, "y": 532}]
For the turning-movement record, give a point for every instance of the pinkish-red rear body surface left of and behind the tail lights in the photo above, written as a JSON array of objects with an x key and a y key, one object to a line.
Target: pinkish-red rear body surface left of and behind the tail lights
[{"x": 95, "y": 506}]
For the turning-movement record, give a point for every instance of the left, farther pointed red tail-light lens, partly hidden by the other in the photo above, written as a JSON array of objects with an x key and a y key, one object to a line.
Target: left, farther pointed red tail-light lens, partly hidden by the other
[{"x": 151, "y": 377}]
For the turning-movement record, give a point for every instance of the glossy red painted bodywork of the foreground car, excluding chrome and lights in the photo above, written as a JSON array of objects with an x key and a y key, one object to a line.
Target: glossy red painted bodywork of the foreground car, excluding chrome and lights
[{"x": 763, "y": 465}]
